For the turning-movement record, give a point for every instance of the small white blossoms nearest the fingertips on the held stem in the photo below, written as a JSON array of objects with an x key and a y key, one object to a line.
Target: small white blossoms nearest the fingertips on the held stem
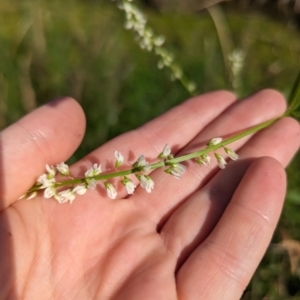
[{"x": 206, "y": 159}]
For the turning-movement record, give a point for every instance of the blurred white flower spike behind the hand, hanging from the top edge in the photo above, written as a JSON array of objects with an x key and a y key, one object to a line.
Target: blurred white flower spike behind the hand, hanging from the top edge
[{"x": 149, "y": 41}]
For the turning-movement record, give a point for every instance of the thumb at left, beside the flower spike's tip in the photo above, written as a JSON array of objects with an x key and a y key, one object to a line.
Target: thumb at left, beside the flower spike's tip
[{"x": 48, "y": 135}]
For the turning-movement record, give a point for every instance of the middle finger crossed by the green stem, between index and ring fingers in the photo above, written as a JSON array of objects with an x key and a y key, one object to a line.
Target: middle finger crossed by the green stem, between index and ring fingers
[{"x": 253, "y": 110}]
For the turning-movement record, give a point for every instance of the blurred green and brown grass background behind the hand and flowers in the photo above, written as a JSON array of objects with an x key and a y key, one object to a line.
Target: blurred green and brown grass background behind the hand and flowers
[{"x": 81, "y": 49}]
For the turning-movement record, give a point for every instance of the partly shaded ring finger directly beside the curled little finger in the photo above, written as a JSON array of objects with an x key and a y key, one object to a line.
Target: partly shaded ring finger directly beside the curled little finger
[{"x": 193, "y": 221}]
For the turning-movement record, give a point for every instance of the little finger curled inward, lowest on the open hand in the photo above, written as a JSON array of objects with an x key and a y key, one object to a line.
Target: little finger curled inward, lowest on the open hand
[{"x": 233, "y": 250}]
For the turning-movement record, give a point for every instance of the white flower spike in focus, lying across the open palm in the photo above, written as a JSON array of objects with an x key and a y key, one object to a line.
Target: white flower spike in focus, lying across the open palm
[{"x": 53, "y": 188}]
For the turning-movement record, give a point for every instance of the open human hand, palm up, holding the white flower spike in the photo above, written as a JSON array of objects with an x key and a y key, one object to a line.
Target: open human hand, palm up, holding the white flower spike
[{"x": 198, "y": 238}]
